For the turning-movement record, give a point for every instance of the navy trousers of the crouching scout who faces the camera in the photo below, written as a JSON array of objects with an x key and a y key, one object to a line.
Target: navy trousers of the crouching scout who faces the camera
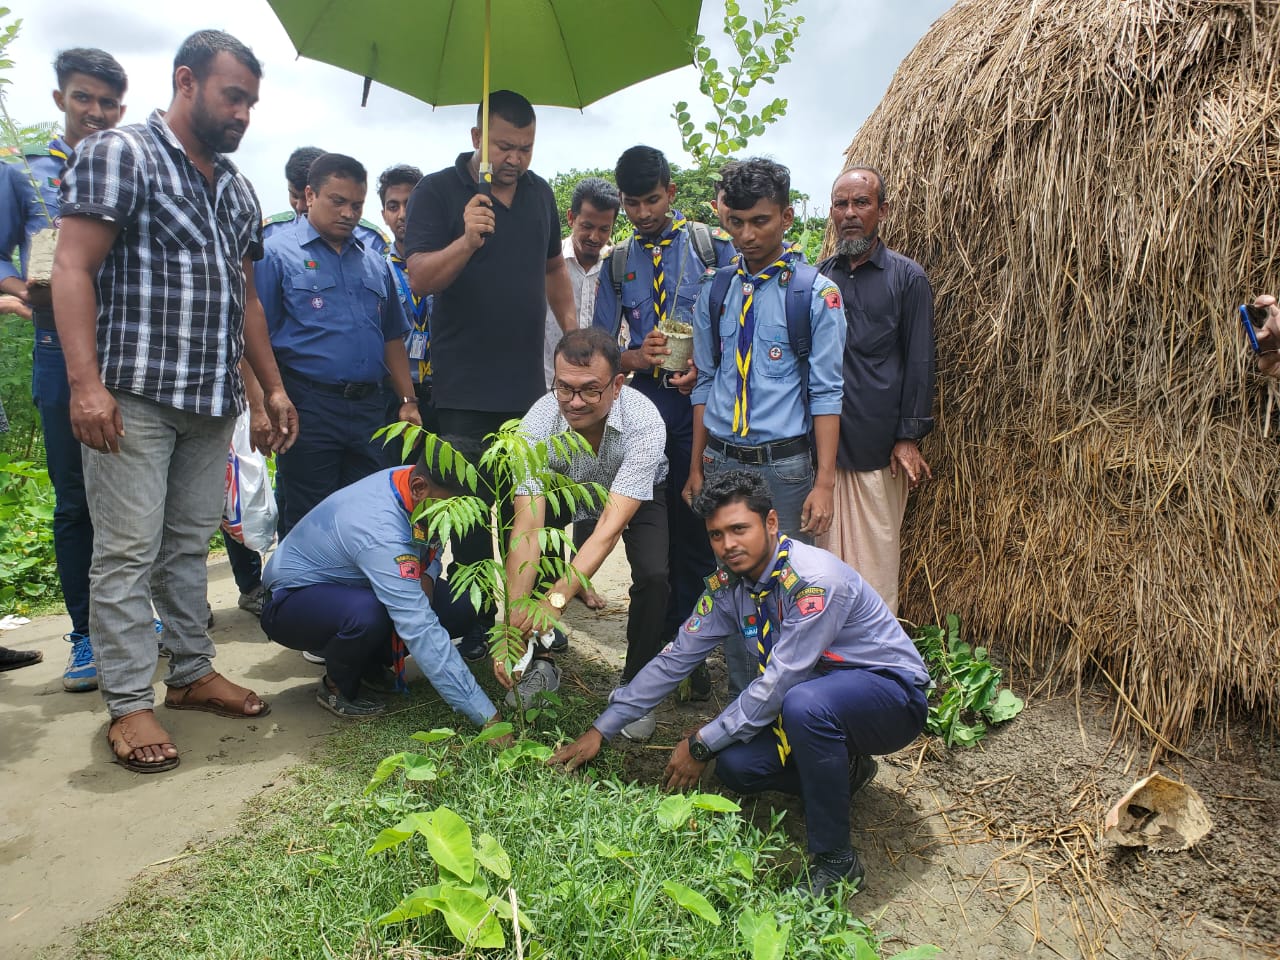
[{"x": 829, "y": 721}]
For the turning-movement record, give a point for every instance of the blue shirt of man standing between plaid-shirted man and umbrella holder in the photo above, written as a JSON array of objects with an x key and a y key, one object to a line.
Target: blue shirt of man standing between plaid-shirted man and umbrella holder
[{"x": 328, "y": 314}]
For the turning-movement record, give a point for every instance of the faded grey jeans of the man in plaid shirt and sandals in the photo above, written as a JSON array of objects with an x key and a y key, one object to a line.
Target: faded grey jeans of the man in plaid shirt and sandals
[{"x": 154, "y": 505}]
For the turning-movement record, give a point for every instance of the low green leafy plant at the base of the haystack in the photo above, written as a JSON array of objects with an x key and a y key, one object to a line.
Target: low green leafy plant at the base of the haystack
[{"x": 968, "y": 694}]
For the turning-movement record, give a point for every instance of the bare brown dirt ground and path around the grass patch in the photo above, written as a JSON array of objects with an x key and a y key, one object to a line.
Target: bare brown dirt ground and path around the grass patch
[{"x": 989, "y": 853}]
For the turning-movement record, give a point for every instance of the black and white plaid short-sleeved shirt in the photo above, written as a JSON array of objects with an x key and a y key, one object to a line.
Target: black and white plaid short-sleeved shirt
[{"x": 171, "y": 294}]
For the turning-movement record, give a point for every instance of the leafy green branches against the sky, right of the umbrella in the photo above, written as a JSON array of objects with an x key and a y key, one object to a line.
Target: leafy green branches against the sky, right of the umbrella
[{"x": 761, "y": 49}]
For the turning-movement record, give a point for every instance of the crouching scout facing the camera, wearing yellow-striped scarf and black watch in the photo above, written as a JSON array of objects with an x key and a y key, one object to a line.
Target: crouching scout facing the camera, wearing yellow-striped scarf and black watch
[{"x": 838, "y": 679}]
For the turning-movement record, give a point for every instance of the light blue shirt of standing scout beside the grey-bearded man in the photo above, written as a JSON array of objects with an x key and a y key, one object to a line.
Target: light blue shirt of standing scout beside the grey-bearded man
[{"x": 779, "y": 413}]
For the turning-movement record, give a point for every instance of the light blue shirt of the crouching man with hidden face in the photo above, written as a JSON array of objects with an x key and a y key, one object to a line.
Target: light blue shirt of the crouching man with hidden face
[{"x": 362, "y": 537}]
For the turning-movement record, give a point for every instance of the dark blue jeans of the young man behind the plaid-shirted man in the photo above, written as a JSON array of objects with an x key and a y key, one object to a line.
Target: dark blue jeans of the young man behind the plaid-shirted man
[{"x": 74, "y": 529}]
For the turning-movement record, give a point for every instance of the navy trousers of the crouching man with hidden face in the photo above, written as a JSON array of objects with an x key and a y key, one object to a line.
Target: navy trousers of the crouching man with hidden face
[{"x": 350, "y": 628}]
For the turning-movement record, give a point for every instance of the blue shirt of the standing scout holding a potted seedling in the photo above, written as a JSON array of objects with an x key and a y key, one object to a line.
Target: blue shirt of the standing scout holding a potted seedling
[{"x": 684, "y": 275}]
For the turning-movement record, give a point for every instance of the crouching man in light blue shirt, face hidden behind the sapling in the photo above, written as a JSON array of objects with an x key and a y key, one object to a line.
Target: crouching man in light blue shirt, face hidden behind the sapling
[{"x": 358, "y": 583}]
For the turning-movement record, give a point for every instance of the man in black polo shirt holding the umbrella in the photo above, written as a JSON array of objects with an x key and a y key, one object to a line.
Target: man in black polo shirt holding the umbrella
[{"x": 491, "y": 255}]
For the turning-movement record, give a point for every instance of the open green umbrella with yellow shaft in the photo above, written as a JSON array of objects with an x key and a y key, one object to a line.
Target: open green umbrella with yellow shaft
[{"x": 556, "y": 53}]
